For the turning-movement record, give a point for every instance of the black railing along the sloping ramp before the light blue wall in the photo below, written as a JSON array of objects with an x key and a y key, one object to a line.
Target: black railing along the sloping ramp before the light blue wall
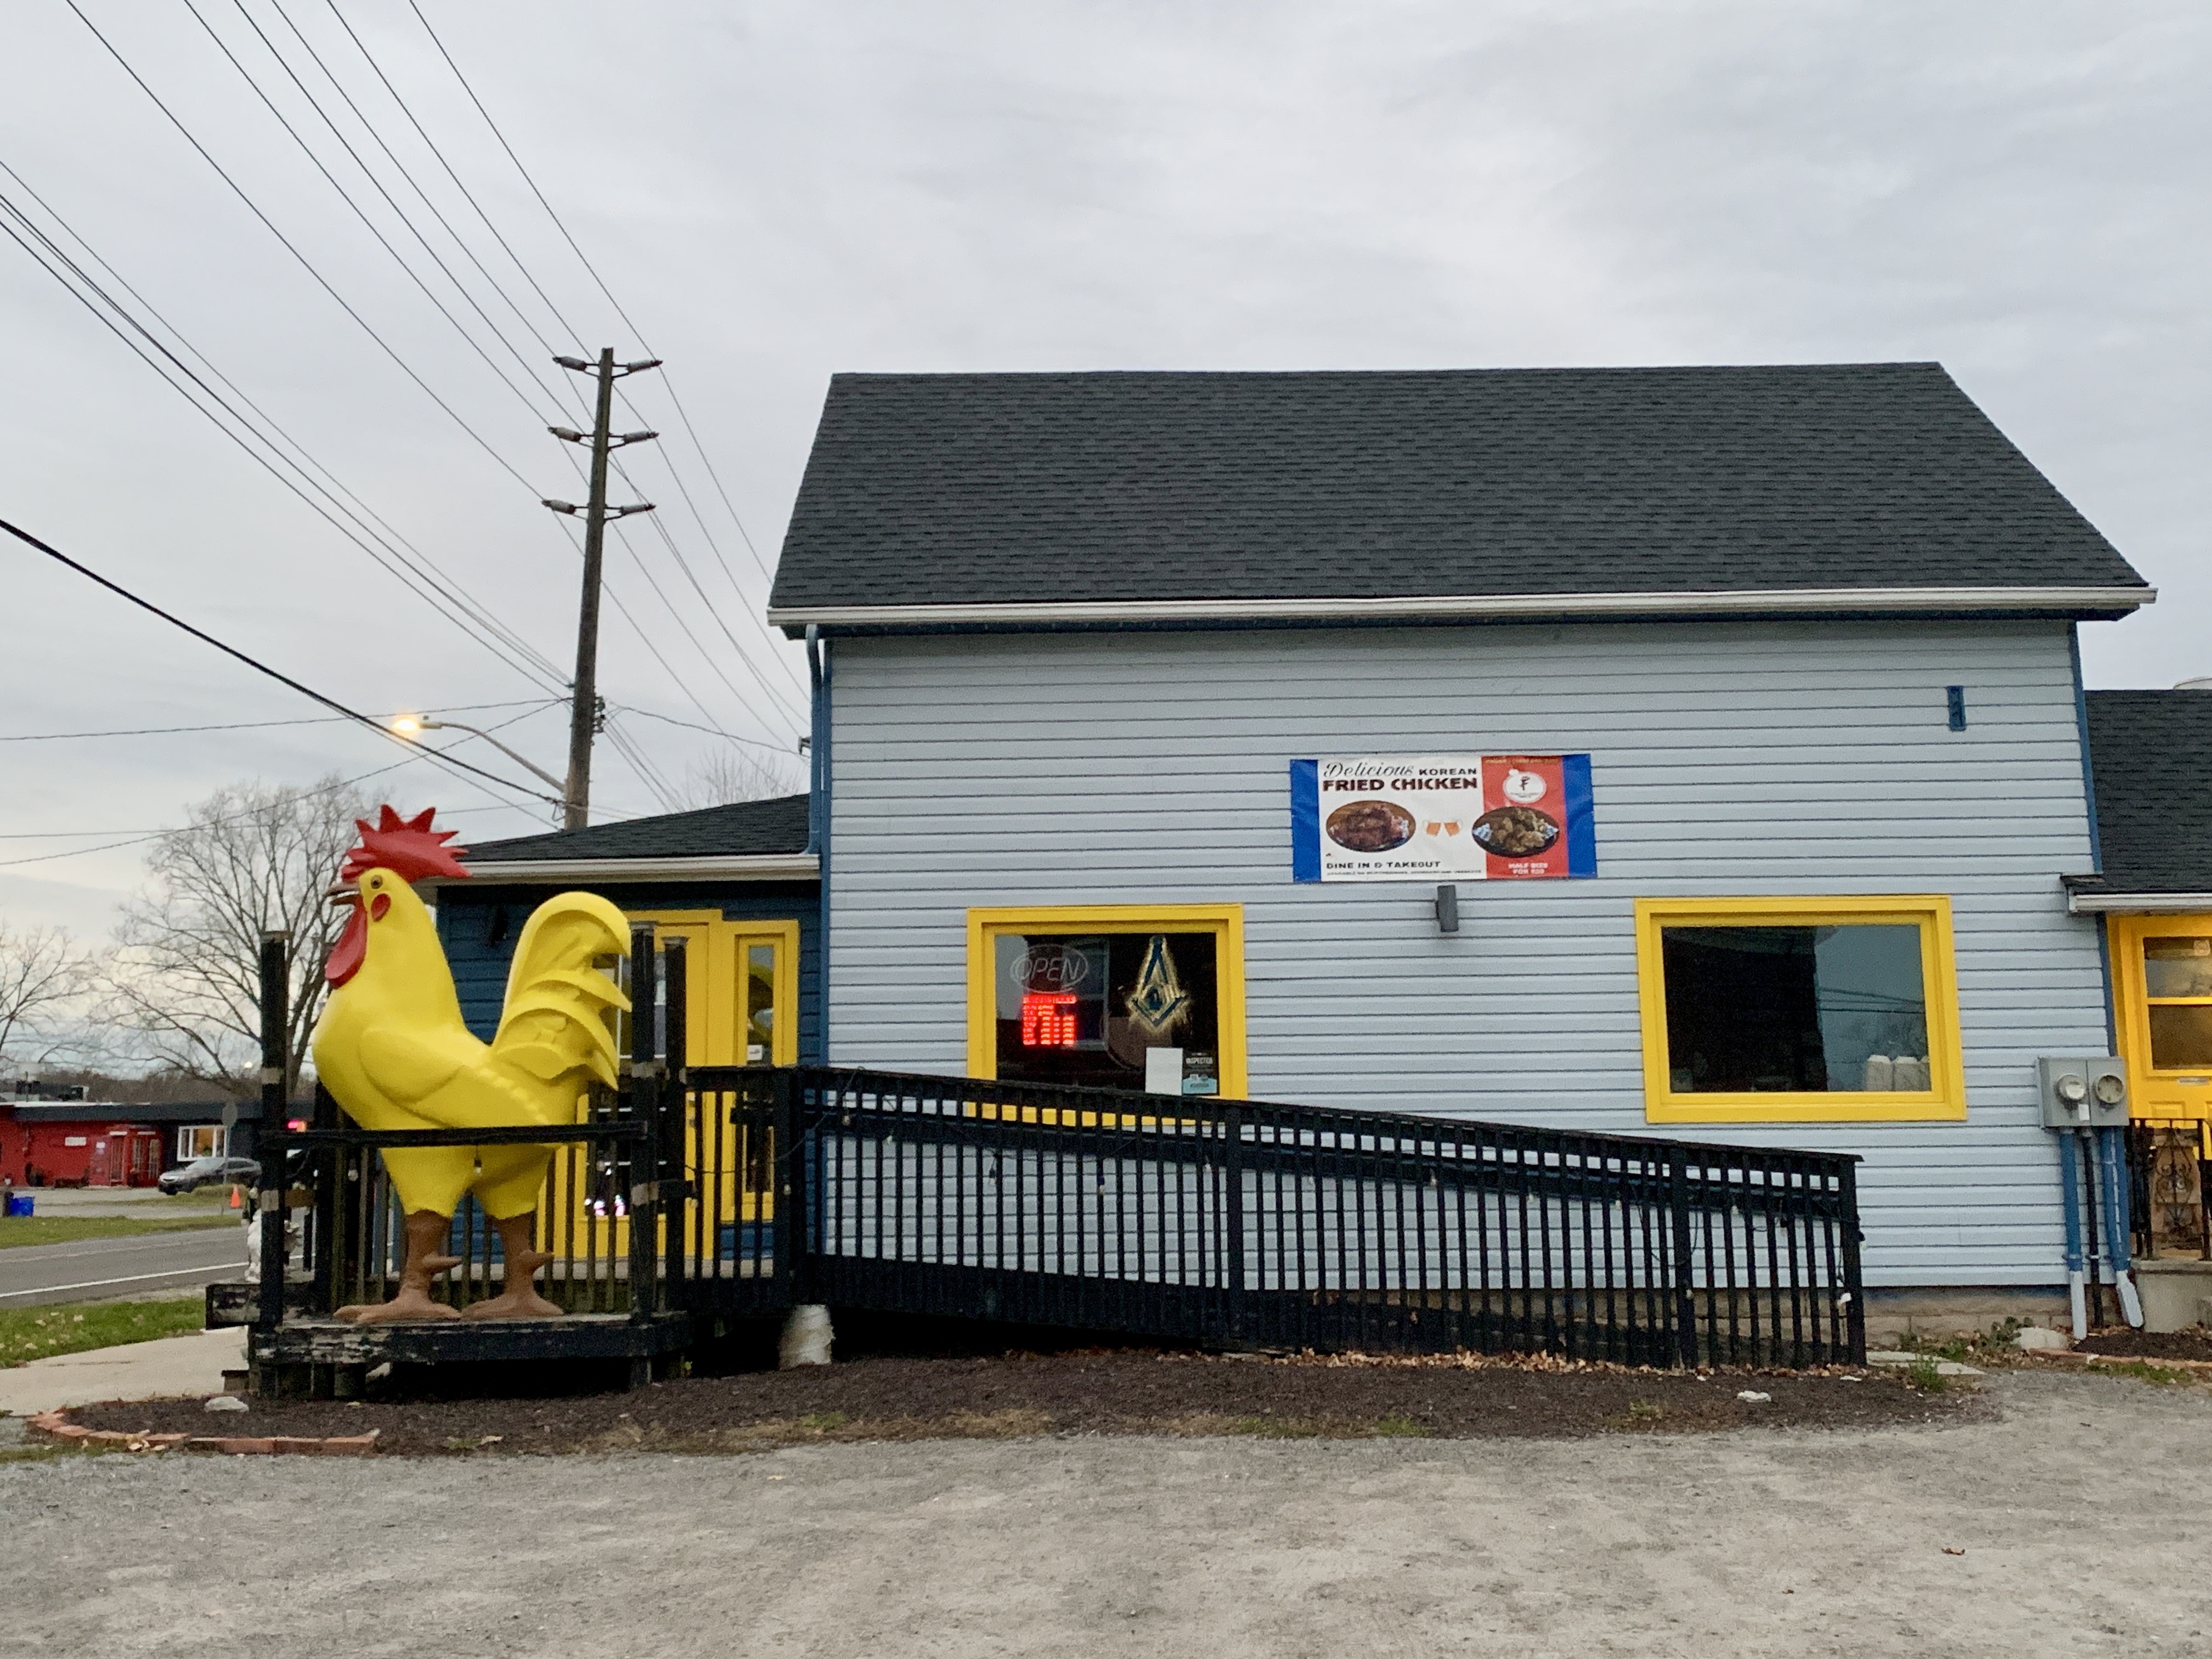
[{"x": 1244, "y": 1222}]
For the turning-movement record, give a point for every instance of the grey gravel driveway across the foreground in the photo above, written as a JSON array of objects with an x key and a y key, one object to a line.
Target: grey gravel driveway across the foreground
[{"x": 2078, "y": 1512}]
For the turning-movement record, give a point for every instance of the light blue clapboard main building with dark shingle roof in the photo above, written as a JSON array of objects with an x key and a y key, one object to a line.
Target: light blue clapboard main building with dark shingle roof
[{"x": 1815, "y": 632}]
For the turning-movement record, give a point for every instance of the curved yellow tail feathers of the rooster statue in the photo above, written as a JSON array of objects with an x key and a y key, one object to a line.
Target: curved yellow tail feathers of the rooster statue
[{"x": 554, "y": 1023}]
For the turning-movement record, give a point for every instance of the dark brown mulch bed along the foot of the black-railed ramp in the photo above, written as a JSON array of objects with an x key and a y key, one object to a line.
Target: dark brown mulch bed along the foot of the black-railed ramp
[{"x": 1094, "y": 1392}]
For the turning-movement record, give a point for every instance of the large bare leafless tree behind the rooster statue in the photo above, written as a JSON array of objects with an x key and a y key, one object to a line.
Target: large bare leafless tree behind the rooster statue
[{"x": 187, "y": 979}]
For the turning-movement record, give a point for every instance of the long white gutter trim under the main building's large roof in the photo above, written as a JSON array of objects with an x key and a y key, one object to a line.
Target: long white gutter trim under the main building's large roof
[{"x": 1481, "y": 605}]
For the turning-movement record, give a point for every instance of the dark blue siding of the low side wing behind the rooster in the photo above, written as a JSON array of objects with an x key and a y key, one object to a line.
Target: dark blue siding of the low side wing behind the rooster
[{"x": 479, "y": 930}]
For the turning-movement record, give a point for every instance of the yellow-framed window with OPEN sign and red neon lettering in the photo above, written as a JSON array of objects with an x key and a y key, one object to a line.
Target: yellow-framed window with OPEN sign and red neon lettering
[{"x": 1109, "y": 997}]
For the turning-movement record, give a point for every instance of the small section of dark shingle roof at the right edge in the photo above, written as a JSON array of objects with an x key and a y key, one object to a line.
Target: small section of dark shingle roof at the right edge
[{"x": 2151, "y": 755}]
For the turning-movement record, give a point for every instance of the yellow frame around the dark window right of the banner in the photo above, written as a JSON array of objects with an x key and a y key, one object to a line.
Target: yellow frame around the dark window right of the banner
[{"x": 1945, "y": 1098}]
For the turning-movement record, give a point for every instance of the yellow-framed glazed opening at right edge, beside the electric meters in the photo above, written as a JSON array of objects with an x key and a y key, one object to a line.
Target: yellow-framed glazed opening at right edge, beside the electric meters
[{"x": 2162, "y": 999}]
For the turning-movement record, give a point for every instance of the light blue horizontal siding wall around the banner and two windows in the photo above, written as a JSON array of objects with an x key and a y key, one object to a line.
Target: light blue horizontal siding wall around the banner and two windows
[{"x": 1762, "y": 758}]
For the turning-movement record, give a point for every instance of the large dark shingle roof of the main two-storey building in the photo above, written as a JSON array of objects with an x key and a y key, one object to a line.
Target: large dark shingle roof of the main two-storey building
[{"x": 1070, "y": 488}]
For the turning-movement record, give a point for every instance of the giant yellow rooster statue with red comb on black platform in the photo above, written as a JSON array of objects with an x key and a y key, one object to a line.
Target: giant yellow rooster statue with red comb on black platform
[{"x": 395, "y": 1054}]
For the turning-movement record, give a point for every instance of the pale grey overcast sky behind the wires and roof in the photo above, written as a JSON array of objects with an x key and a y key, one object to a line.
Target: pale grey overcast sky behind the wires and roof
[{"x": 784, "y": 191}]
